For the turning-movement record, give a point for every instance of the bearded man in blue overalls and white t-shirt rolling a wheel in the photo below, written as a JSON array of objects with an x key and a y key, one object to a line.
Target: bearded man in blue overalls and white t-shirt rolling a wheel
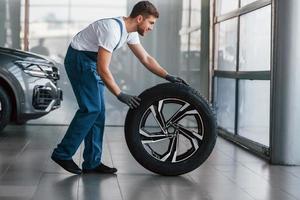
[{"x": 87, "y": 66}]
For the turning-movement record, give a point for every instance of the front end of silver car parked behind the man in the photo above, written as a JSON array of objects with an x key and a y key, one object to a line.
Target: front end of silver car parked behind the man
[{"x": 28, "y": 86}]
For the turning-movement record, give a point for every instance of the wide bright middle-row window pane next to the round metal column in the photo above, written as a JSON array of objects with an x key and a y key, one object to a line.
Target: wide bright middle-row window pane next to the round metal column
[{"x": 255, "y": 40}]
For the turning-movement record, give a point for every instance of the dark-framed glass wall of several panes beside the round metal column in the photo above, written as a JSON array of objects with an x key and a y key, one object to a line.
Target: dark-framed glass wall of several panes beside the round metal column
[{"x": 242, "y": 55}]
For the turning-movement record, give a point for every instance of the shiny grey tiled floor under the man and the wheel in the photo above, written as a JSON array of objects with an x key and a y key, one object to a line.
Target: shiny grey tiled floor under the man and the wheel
[{"x": 26, "y": 172}]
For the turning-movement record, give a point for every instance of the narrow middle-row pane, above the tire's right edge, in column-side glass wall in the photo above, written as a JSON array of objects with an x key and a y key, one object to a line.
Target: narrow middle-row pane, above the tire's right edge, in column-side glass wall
[{"x": 226, "y": 43}]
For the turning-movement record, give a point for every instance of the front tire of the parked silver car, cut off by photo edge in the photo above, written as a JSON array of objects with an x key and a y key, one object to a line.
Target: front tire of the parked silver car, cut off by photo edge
[{"x": 5, "y": 109}]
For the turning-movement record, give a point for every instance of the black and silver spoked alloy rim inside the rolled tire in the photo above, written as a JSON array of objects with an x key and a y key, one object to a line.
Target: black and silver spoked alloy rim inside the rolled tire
[{"x": 171, "y": 130}]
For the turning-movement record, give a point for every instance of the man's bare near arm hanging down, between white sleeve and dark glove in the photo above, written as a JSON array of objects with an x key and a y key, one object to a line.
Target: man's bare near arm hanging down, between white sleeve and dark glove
[{"x": 103, "y": 61}]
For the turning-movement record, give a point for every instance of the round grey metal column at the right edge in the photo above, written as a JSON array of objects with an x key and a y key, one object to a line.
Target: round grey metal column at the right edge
[{"x": 285, "y": 111}]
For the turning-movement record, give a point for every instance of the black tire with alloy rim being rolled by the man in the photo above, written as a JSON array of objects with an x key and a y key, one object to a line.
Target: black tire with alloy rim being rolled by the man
[{"x": 194, "y": 106}]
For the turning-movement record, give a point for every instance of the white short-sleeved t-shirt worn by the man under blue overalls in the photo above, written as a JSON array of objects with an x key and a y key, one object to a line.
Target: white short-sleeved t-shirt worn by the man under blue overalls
[{"x": 103, "y": 33}]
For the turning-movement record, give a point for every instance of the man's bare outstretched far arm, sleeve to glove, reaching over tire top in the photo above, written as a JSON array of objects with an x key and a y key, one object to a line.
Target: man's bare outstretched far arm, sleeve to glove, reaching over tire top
[{"x": 148, "y": 61}]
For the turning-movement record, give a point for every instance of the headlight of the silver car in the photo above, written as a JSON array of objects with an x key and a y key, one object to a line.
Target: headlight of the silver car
[{"x": 37, "y": 69}]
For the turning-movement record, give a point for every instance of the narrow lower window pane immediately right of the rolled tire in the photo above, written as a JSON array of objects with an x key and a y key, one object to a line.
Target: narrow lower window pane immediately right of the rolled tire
[{"x": 225, "y": 103}]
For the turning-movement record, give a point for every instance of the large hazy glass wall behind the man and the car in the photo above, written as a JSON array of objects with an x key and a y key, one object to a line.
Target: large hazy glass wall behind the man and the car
[{"x": 174, "y": 42}]
